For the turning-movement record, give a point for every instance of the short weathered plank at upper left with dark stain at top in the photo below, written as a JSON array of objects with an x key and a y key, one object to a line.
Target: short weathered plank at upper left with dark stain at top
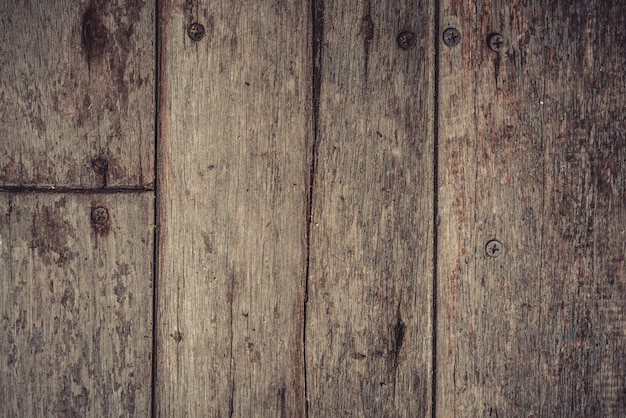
[{"x": 77, "y": 87}]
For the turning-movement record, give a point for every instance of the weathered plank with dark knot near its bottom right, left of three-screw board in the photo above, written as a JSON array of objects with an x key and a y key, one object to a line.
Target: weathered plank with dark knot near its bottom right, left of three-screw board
[{"x": 369, "y": 312}]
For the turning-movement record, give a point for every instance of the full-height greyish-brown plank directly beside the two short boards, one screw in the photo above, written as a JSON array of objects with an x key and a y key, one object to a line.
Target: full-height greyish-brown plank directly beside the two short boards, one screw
[{"x": 236, "y": 121}]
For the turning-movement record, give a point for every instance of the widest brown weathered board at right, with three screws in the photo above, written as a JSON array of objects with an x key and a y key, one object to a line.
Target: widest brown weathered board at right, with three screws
[{"x": 533, "y": 154}]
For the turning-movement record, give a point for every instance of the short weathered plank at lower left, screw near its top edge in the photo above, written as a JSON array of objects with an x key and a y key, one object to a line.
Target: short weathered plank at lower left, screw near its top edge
[{"x": 75, "y": 305}]
